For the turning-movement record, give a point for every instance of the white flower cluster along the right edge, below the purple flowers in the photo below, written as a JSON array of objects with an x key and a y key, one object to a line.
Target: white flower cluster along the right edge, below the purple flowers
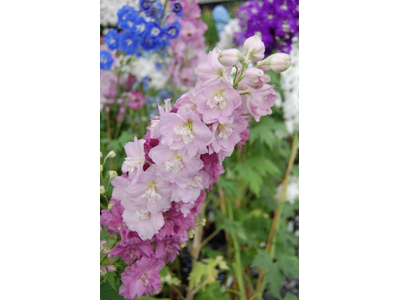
[{"x": 290, "y": 87}]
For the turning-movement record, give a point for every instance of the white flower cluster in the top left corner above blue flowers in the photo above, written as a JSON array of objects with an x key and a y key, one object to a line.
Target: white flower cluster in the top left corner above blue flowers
[{"x": 110, "y": 8}]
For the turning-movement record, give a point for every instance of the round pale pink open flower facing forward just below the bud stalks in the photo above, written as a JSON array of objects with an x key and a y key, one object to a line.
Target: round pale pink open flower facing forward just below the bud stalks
[{"x": 217, "y": 102}]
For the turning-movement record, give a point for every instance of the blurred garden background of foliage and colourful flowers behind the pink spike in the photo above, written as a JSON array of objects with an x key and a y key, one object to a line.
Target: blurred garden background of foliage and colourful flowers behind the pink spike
[{"x": 246, "y": 241}]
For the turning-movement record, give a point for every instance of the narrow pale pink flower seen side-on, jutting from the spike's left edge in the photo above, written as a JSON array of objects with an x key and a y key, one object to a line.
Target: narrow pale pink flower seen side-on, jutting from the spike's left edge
[{"x": 134, "y": 159}]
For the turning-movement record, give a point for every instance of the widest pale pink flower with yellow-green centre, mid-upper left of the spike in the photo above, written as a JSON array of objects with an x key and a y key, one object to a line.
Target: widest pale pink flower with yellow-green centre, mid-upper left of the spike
[{"x": 184, "y": 131}]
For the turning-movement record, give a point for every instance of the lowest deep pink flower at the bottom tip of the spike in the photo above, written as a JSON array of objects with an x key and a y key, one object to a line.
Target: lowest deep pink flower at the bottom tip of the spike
[{"x": 143, "y": 277}]
